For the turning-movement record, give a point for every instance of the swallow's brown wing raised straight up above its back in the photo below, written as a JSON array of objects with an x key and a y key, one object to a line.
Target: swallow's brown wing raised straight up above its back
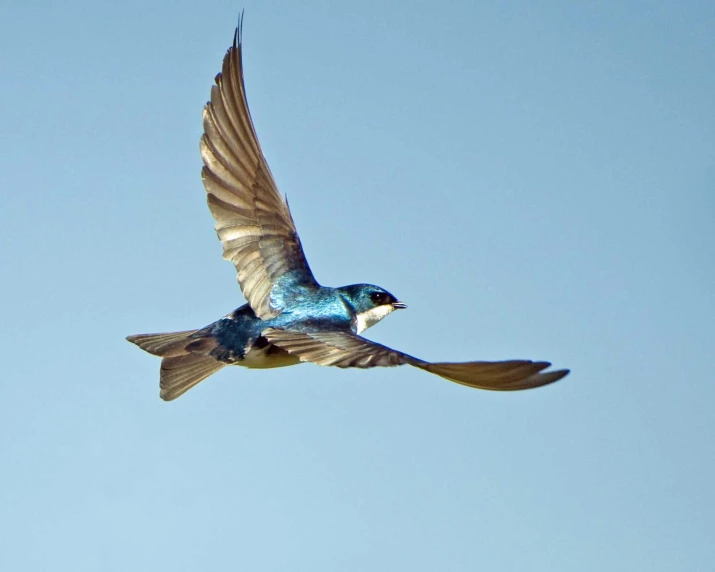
[{"x": 253, "y": 221}]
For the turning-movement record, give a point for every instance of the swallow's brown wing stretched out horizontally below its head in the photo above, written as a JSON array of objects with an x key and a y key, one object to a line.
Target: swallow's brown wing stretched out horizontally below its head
[{"x": 345, "y": 349}]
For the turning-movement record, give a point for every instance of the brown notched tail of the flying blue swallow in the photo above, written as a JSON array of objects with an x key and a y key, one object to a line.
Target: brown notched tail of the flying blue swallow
[{"x": 186, "y": 360}]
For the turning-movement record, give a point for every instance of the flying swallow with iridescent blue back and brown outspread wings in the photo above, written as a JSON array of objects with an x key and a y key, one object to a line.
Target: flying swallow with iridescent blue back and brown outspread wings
[{"x": 289, "y": 318}]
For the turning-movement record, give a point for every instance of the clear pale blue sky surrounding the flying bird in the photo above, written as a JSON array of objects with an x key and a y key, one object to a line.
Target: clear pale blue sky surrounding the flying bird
[{"x": 535, "y": 179}]
